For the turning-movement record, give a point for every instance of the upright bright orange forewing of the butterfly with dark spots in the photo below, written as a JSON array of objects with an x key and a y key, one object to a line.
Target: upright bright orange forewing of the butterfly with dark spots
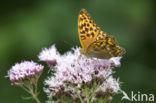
[{"x": 87, "y": 28}]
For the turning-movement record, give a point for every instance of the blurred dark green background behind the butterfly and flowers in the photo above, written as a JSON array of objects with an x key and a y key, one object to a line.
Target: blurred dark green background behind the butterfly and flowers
[{"x": 27, "y": 26}]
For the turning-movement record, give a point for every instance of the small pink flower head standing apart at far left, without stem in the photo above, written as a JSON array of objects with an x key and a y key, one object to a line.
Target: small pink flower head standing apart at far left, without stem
[{"x": 23, "y": 71}]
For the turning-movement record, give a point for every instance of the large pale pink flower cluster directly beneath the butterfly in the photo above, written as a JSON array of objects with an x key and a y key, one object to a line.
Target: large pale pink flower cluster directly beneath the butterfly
[{"x": 75, "y": 72}]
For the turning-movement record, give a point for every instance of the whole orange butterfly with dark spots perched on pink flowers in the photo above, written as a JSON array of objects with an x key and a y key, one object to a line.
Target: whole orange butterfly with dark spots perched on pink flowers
[{"x": 95, "y": 42}]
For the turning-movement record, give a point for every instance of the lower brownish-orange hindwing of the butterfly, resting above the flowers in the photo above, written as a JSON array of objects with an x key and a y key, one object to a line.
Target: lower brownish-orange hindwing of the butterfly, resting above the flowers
[{"x": 106, "y": 48}]
